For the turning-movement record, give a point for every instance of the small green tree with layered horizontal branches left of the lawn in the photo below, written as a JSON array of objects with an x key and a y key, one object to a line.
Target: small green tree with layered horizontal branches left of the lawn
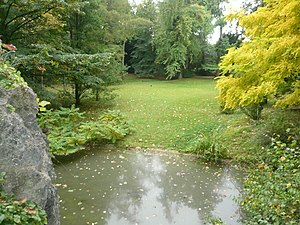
[{"x": 81, "y": 72}]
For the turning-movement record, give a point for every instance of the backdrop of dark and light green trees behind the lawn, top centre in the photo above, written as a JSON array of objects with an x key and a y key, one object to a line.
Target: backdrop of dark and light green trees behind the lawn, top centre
[{"x": 175, "y": 43}]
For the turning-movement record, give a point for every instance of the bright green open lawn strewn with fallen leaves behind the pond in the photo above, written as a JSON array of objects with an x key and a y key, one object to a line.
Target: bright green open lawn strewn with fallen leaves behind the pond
[{"x": 170, "y": 114}]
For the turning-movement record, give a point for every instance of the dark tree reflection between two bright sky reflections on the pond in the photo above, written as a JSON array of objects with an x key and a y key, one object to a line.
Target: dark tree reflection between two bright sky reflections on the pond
[{"x": 190, "y": 186}]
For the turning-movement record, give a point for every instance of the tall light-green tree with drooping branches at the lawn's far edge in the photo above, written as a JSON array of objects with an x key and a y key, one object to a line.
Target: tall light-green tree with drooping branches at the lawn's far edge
[{"x": 178, "y": 36}]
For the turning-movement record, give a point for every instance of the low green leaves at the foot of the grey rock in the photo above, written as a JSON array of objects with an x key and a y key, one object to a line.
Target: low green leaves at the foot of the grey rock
[{"x": 19, "y": 211}]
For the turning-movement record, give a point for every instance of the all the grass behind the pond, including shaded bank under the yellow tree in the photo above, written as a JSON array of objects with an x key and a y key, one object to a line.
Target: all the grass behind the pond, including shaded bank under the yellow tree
[{"x": 174, "y": 114}]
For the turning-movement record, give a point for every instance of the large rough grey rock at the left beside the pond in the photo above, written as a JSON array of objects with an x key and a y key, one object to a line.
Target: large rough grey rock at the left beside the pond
[{"x": 23, "y": 152}]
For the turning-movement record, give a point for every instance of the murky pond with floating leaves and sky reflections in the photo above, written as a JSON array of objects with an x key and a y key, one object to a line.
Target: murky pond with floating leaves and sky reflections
[{"x": 108, "y": 187}]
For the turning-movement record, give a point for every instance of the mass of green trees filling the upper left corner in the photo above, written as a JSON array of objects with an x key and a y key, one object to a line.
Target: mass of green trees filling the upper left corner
[{"x": 77, "y": 43}]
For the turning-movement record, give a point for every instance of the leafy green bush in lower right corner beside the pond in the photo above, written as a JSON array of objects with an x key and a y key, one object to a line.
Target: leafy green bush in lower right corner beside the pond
[{"x": 272, "y": 191}]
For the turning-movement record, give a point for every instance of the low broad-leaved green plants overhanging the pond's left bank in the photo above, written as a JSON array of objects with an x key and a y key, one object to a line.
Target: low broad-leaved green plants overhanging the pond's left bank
[{"x": 68, "y": 133}]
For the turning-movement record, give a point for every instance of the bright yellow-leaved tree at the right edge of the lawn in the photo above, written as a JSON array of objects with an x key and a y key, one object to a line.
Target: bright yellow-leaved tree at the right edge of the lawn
[{"x": 267, "y": 65}]
